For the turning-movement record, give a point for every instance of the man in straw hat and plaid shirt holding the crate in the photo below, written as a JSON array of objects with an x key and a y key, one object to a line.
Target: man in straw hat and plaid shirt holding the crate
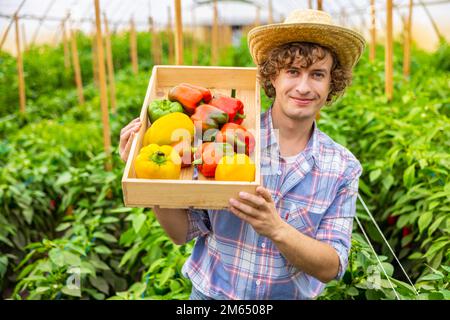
[{"x": 294, "y": 235}]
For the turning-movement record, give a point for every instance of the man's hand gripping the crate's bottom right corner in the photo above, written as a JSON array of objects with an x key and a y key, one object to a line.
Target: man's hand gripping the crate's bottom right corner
[{"x": 259, "y": 211}]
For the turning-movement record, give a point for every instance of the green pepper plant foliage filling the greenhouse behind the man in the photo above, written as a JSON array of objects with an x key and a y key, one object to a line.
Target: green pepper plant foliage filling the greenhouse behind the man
[{"x": 64, "y": 233}]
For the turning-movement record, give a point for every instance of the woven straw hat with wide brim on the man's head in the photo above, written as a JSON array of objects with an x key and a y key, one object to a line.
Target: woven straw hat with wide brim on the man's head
[{"x": 307, "y": 26}]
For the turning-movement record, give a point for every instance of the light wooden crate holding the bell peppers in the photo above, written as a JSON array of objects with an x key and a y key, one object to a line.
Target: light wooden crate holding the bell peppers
[{"x": 186, "y": 192}]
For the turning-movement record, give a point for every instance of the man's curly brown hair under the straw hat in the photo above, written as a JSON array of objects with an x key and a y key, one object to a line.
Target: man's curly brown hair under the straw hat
[{"x": 306, "y": 54}]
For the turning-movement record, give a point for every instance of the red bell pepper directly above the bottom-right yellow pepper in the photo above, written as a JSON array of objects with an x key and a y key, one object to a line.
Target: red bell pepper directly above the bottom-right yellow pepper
[{"x": 239, "y": 137}]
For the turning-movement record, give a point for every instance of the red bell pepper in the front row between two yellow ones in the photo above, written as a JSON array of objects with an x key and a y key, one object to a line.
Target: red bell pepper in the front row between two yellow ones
[{"x": 208, "y": 156}]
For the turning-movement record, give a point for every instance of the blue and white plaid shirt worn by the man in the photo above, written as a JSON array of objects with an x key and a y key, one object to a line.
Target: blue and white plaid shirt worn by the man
[{"x": 316, "y": 194}]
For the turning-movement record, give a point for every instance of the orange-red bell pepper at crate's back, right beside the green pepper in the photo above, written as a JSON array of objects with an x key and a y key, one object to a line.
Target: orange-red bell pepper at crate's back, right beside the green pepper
[{"x": 189, "y": 96}]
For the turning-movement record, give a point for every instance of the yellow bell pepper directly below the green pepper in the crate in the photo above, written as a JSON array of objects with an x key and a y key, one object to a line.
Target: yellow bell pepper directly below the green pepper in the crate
[{"x": 170, "y": 128}]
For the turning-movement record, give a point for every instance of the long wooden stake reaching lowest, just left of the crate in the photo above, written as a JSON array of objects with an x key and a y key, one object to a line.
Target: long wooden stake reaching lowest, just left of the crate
[{"x": 103, "y": 91}]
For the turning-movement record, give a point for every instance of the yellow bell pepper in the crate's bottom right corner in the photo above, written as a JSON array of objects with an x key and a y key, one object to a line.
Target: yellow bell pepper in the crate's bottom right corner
[{"x": 237, "y": 167}]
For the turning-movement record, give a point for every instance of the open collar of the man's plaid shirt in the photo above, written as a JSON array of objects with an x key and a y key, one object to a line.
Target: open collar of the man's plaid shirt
[{"x": 269, "y": 138}]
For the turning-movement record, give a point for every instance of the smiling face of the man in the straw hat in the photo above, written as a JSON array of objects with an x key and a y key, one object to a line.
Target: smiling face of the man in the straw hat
[{"x": 300, "y": 91}]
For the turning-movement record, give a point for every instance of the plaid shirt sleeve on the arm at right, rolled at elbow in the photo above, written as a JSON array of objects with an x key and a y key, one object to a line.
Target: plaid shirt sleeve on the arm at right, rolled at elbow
[{"x": 336, "y": 226}]
